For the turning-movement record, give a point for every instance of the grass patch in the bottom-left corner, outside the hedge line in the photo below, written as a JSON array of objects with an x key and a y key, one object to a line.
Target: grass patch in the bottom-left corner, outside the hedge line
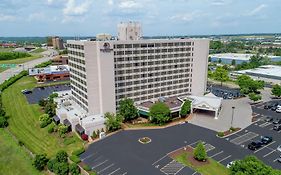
[{"x": 13, "y": 159}]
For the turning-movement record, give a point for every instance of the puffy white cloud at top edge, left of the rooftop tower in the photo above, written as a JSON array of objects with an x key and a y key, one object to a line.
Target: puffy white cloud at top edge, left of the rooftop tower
[{"x": 72, "y": 8}]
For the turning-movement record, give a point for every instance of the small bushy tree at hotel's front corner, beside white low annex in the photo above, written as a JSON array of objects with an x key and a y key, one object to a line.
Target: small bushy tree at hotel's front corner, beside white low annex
[{"x": 113, "y": 122}]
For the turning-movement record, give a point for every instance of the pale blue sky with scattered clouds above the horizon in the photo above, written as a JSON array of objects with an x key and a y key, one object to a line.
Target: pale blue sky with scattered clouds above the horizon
[{"x": 158, "y": 17}]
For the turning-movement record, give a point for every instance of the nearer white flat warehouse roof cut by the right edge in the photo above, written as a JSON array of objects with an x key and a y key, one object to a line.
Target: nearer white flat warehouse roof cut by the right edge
[{"x": 267, "y": 70}]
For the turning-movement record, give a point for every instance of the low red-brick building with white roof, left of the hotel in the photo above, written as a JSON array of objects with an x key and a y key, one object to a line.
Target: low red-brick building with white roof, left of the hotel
[{"x": 52, "y": 73}]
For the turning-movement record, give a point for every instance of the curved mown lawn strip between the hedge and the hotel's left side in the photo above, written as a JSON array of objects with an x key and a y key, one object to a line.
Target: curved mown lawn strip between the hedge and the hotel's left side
[{"x": 24, "y": 123}]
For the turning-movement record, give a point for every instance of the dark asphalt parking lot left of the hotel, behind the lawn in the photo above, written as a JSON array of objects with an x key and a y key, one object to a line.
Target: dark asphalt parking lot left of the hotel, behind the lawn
[{"x": 44, "y": 92}]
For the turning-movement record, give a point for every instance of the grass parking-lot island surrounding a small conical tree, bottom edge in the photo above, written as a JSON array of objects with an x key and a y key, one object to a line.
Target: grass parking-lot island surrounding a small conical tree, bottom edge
[{"x": 213, "y": 168}]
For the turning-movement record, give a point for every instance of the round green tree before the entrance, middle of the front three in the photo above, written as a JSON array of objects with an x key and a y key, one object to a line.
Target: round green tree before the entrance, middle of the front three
[{"x": 159, "y": 113}]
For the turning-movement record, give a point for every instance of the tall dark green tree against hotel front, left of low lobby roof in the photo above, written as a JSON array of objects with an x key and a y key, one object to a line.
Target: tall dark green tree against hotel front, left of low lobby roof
[{"x": 127, "y": 109}]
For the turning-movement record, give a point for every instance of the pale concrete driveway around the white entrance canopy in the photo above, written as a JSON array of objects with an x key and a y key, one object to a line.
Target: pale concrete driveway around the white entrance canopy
[{"x": 242, "y": 117}]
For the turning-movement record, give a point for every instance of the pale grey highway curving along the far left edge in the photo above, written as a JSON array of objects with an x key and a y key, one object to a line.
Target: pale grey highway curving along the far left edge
[{"x": 25, "y": 66}]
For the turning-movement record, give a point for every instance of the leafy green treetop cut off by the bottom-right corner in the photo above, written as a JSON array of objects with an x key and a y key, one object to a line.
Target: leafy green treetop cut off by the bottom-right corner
[{"x": 252, "y": 165}]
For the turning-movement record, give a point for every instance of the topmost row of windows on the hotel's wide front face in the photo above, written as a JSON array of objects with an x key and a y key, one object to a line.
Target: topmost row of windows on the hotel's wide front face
[{"x": 150, "y": 45}]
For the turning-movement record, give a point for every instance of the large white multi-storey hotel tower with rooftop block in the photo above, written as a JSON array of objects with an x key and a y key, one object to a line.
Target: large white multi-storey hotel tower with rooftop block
[{"x": 103, "y": 71}]
